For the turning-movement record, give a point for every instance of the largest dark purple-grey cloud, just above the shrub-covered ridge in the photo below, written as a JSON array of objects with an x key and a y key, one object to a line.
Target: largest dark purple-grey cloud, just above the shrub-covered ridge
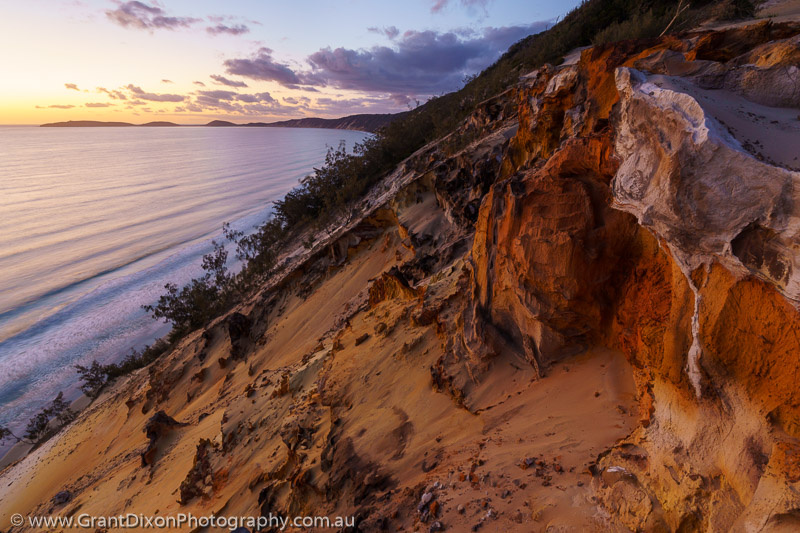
[{"x": 418, "y": 63}]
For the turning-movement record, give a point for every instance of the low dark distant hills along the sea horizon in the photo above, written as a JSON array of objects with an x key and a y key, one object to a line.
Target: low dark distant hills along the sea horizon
[{"x": 364, "y": 122}]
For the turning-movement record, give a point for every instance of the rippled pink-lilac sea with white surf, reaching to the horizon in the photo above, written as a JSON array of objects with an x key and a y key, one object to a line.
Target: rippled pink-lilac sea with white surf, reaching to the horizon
[{"x": 94, "y": 222}]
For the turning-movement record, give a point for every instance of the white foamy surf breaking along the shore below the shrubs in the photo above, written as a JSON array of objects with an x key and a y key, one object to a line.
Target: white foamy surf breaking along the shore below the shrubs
[{"x": 101, "y": 298}]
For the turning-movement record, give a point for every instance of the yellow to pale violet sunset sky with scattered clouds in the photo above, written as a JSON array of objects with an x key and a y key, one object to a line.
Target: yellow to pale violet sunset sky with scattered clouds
[{"x": 191, "y": 61}]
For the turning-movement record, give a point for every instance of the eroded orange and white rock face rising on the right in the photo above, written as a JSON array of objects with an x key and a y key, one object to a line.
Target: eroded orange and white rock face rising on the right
[{"x": 699, "y": 287}]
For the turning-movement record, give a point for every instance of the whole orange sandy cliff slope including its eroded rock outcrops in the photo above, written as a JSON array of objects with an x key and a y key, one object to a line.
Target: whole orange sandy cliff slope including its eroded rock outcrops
[{"x": 577, "y": 311}]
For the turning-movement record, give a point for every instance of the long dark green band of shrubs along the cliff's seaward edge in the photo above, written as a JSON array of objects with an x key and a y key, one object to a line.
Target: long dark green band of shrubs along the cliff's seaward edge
[{"x": 327, "y": 197}]
